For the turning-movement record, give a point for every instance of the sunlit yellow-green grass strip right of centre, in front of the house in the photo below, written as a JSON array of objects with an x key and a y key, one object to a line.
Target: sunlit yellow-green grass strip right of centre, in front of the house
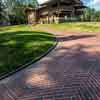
[{"x": 75, "y": 26}]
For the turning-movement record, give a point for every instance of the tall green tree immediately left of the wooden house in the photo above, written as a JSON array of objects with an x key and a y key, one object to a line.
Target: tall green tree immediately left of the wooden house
[{"x": 15, "y": 10}]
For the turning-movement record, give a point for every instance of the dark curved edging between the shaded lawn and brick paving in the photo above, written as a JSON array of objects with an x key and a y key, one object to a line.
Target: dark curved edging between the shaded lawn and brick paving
[{"x": 31, "y": 62}]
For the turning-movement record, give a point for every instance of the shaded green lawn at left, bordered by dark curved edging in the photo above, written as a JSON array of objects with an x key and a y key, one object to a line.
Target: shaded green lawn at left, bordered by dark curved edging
[{"x": 20, "y": 45}]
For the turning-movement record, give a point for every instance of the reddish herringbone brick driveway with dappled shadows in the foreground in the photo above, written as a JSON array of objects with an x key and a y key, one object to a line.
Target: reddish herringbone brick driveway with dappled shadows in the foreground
[{"x": 70, "y": 72}]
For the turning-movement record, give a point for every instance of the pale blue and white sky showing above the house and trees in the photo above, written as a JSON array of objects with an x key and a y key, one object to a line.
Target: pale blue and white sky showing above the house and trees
[{"x": 91, "y": 3}]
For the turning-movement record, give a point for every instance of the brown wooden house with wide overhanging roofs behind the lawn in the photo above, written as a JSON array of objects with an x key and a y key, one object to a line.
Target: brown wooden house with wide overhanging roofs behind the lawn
[{"x": 55, "y": 11}]
